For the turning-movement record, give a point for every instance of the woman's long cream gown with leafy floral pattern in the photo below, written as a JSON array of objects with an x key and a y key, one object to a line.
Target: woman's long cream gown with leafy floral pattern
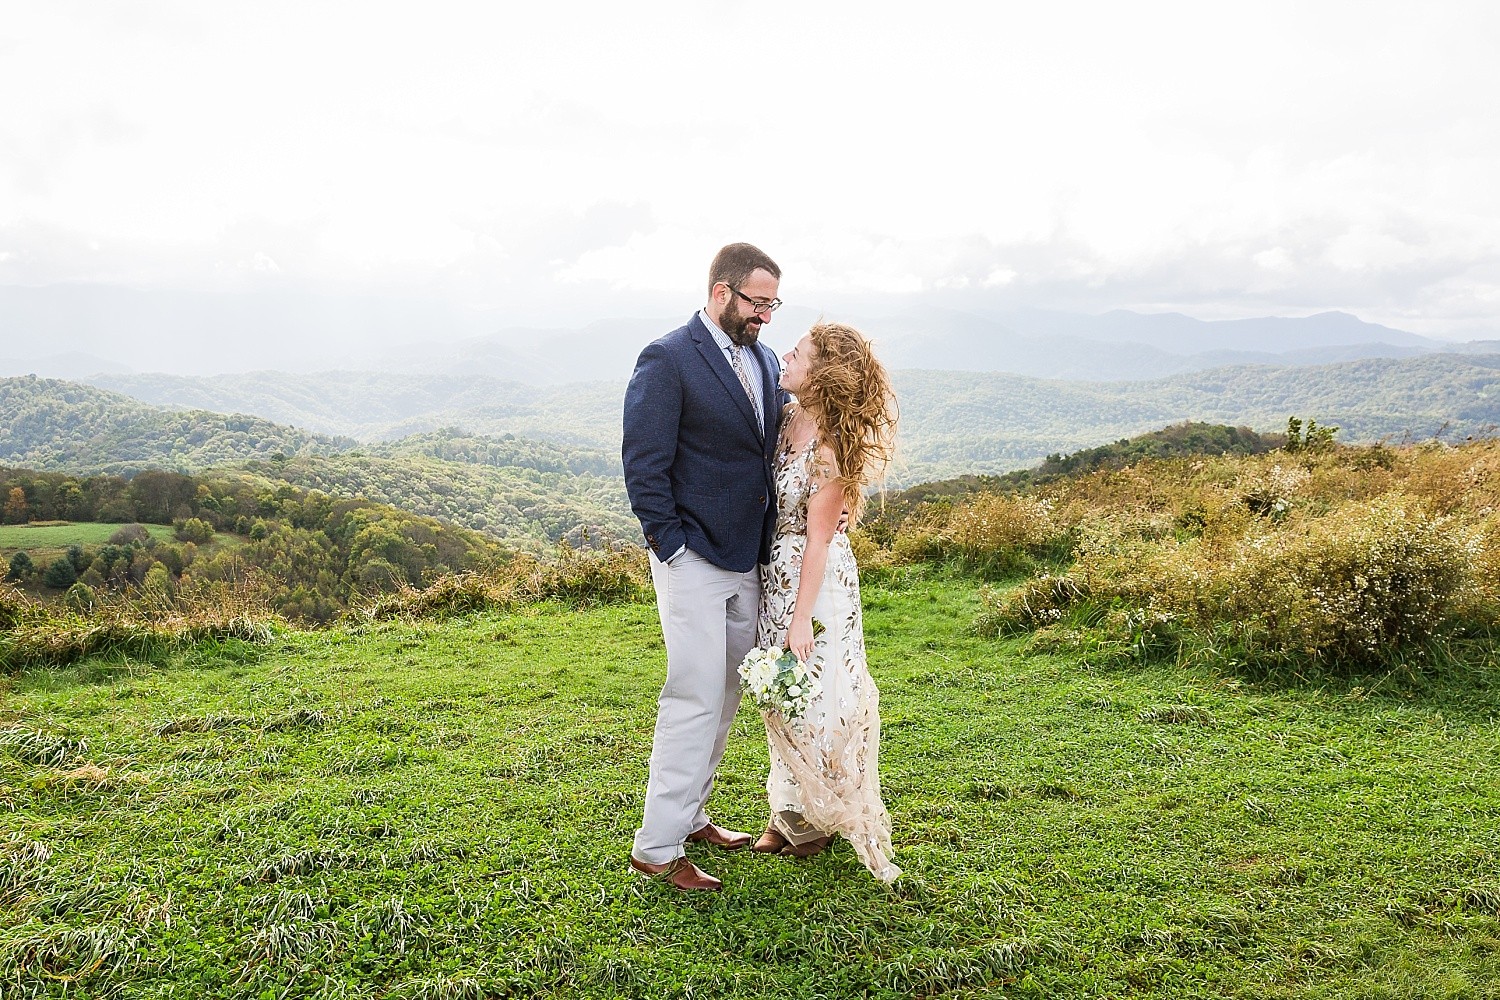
[{"x": 824, "y": 767}]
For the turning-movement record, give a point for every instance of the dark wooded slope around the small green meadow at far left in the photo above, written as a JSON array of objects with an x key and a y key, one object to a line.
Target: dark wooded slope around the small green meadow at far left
[{"x": 304, "y": 552}]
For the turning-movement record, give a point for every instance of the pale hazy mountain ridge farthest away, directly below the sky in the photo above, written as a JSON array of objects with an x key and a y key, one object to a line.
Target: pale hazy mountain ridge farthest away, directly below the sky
[{"x": 82, "y": 331}]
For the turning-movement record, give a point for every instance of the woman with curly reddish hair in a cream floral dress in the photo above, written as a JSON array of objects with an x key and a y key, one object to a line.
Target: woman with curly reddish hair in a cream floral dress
[{"x": 835, "y": 440}]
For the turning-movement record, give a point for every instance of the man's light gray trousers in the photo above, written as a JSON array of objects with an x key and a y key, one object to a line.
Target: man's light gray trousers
[{"x": 709, "y": 621}]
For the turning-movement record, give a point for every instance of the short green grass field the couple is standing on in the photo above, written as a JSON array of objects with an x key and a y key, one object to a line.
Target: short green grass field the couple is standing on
[{"x": 445, "y": 810}]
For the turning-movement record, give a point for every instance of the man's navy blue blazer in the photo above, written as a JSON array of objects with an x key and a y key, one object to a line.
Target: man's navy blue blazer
[{"x": 698, "y": 470}]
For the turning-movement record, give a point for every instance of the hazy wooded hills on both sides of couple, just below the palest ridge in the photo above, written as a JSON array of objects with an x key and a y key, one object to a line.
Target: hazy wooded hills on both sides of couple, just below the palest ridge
[{"x": 953, "y": 424}]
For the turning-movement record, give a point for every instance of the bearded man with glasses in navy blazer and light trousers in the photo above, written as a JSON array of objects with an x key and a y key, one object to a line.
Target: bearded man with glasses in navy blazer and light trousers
[{"x": 700, "y": 430}]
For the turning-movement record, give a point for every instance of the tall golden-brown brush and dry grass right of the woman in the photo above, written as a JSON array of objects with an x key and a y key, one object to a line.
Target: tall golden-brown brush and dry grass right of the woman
[{"x": 1349, "y": 557}]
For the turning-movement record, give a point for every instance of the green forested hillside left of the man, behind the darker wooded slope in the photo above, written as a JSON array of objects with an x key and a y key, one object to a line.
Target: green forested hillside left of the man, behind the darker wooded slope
[{"x": 530, "y": 494}]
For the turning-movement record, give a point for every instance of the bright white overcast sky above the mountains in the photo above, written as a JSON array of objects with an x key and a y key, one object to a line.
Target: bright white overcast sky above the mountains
[{"x": 559, "y": 163}]
